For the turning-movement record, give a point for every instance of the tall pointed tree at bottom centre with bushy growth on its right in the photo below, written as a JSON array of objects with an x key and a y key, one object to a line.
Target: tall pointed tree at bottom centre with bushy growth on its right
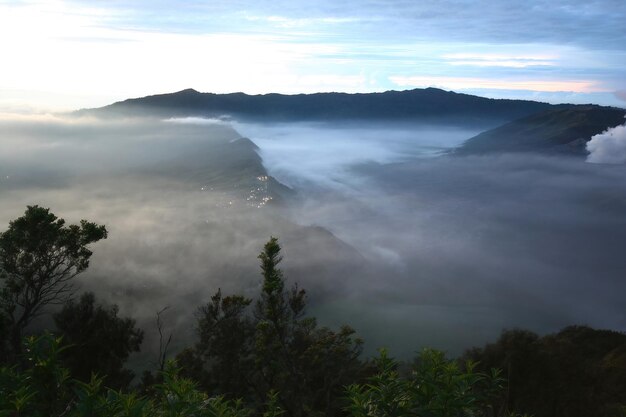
[{"x": 307, "y": 365}]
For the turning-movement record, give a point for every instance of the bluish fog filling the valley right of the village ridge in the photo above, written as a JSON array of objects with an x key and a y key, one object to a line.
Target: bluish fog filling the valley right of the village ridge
[{"x": 458, "y": 247}]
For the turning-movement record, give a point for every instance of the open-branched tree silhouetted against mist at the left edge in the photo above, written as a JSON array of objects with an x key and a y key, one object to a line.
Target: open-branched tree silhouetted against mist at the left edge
[{"x": 39, "y": 257}]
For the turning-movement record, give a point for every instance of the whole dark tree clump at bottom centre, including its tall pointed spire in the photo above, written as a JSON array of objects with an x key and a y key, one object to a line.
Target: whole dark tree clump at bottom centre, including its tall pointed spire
[{"x": 276, "y": 352}]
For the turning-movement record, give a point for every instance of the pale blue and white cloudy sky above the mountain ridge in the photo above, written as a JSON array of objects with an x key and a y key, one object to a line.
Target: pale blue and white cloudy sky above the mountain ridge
[{"x": 64, "y": 55}]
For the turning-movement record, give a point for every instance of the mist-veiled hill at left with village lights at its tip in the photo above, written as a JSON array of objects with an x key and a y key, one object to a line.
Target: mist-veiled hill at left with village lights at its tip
[{"x": 210, "y": 157}]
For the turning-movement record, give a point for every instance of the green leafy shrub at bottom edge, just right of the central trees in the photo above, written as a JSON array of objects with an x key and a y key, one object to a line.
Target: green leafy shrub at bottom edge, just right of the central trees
[{"x": 436, "y": 387}]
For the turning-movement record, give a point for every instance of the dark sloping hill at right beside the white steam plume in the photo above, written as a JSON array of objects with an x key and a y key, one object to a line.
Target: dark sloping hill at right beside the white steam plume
[{"x": 563, "y": 130}]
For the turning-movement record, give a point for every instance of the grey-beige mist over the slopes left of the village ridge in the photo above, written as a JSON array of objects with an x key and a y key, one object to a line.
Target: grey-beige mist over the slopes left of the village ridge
[{"x": 176, "y": 203}]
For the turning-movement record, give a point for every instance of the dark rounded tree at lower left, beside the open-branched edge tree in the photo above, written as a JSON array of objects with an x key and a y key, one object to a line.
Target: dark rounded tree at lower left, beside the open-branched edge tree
[{"x": 99, "y": 341}]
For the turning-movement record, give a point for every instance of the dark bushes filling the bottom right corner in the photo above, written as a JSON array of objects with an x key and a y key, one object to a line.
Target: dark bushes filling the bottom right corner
[{"x": 576, "y": 372}]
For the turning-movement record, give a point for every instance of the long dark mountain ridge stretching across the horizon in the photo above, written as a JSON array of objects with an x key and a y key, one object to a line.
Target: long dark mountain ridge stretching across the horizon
[{"x": 428, "y": 105}]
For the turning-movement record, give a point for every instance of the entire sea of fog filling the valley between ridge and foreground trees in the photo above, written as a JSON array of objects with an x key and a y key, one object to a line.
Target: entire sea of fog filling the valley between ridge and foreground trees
[{"x": 411, "y": 247}]
